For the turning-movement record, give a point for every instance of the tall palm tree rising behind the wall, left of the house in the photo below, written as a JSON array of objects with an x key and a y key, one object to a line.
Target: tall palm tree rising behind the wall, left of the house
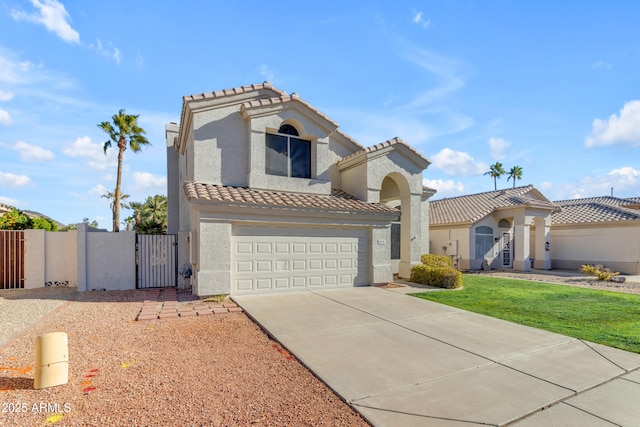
[{"x": 123, "y": 131}]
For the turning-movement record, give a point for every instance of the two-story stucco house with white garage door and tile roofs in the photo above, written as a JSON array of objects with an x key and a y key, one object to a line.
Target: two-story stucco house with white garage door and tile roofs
[{"x": 267, "y": 194}]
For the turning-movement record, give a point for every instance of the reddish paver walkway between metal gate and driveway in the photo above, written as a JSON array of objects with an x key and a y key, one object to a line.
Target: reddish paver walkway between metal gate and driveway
[{"x": 162, "y": 303}]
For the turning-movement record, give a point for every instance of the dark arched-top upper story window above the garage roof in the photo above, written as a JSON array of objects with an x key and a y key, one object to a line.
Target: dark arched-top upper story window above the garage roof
[{"x": 288, "y": 155}]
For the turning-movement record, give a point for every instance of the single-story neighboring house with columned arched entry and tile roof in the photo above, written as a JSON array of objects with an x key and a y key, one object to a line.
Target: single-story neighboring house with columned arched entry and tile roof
[{"x": 497, "y": 229}]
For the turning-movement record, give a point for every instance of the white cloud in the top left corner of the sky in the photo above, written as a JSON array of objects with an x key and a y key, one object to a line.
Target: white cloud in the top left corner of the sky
[{"x": 53, "y": 16}]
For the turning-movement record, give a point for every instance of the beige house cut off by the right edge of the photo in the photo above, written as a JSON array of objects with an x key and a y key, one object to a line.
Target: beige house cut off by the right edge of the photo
[{"x": 597, "y": 230}]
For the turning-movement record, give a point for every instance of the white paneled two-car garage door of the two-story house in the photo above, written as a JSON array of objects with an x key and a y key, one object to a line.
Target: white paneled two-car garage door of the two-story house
[{"x": 275, "y": 259}]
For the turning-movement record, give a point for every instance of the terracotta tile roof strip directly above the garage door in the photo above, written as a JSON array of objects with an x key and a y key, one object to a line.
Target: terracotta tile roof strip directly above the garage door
[{"x": 338, "y": 201}]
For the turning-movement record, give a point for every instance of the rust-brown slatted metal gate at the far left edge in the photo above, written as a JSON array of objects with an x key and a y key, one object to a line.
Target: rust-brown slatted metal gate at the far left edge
[{"x": 11, "y": 259}]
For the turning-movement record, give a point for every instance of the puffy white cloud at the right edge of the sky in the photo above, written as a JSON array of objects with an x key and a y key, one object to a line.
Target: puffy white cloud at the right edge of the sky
[{"x": 622, "y": 129}]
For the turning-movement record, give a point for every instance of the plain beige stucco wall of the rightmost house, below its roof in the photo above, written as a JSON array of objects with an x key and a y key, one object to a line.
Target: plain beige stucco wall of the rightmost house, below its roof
[{"x": 614, "y": 245}]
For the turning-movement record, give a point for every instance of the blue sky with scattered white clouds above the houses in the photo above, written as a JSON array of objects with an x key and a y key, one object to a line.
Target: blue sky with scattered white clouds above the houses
[{"x": 553, "y": 87}]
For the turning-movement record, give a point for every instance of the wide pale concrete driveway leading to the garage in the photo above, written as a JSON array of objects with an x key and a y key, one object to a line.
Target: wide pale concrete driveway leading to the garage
[{"x": 402, "y": 361}]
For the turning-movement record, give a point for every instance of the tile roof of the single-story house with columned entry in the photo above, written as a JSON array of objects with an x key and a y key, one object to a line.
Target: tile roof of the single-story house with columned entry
[{"x": 471, "y": 208}]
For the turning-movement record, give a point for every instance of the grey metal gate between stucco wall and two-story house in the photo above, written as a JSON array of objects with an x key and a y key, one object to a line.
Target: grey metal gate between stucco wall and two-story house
[{"x": 157, "y": 260}]
